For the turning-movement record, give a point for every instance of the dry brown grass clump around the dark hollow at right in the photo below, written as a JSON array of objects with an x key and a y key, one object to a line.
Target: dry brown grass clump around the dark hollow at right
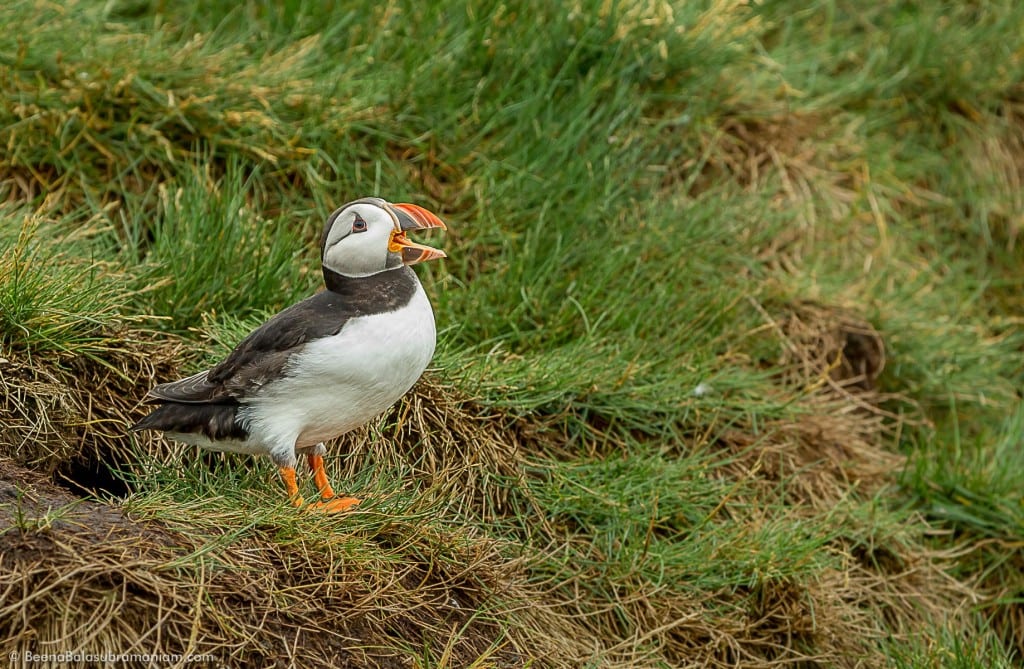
[{"x": 833, "y": 358}]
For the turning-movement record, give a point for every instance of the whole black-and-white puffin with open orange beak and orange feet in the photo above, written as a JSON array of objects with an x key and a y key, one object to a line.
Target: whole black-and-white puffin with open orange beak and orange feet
[{"x": 324, "y": 366}]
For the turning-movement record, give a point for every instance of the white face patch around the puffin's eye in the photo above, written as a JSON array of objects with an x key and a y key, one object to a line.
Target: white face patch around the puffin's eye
[{"x": 357, "y": 245}]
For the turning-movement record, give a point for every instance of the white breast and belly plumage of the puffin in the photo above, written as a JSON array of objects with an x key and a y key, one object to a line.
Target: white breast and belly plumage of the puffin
[{"x": 340, "y": 383}]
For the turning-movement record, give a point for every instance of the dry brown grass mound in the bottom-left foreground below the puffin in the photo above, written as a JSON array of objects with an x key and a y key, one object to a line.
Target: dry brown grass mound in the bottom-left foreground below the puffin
[{"x": 82, "y": 575}]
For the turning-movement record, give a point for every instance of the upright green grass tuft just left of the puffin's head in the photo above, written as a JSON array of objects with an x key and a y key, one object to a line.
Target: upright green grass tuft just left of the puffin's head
[{"x": 201, "y": 250}]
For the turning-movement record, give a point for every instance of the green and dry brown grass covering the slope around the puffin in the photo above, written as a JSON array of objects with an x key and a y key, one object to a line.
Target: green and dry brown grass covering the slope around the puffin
[{"x": 731, "y": 350}]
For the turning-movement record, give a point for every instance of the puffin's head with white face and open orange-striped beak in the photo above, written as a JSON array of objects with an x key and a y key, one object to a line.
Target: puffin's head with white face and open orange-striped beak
[{"x": 368, "y": 236}]
